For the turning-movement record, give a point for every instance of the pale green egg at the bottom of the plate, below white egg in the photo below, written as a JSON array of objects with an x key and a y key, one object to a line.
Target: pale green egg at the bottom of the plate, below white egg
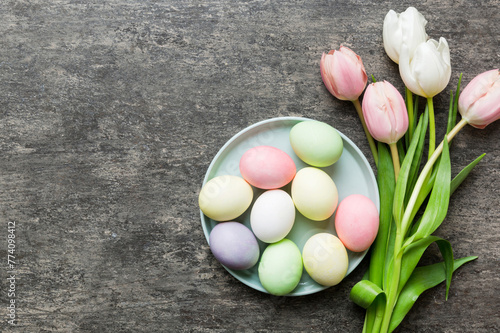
[{"x": 280, "y": 267}]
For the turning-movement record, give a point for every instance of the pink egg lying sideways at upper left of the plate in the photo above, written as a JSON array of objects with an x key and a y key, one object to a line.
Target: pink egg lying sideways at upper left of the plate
[{"x": 267, "y": 167}]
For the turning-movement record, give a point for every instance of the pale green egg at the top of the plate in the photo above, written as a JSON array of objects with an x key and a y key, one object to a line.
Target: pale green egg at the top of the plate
[{"x": 316, "y": 143}]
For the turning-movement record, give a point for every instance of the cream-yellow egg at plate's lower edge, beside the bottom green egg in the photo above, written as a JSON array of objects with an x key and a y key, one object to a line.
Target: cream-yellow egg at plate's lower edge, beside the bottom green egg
[{"x": 325, "y": 259}]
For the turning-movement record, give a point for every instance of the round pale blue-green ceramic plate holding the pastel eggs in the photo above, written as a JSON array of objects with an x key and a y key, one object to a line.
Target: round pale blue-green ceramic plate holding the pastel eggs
[{"x": 351, "y": 173}]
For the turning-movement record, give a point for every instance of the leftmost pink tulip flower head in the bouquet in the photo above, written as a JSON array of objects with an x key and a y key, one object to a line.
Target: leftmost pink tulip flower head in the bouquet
[{"x": 343, "y": 73}]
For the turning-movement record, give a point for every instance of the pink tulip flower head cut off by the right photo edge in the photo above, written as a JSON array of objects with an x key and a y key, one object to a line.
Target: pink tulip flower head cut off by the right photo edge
[{"x": 479, "y": 102}]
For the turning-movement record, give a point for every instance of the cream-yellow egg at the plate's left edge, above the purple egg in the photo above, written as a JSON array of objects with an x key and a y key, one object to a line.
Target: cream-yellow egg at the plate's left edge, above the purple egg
[{"x": 224, "y": 198}]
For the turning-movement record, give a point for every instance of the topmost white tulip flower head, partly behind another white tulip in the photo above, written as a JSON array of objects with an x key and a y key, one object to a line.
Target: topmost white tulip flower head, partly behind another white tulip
[{"x": 408, "y": 26}]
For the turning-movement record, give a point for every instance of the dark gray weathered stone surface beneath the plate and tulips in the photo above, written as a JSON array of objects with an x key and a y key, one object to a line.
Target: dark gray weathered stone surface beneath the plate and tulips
[{"x": 111, "y": 112}]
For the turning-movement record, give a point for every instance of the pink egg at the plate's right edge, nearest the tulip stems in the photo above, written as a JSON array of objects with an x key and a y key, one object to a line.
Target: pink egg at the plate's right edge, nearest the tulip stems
[{"x": 356, "y": 222}]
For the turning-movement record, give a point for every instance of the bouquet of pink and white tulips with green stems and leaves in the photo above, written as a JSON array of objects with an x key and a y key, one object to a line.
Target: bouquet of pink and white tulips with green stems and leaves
[{"x": 414, "y": 199}]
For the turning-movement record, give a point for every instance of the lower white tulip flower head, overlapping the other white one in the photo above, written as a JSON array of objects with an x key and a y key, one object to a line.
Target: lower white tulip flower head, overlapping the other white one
[{"x": 429, "y": 71}]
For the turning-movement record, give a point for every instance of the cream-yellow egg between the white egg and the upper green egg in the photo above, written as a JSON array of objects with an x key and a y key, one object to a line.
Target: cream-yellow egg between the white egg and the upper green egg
[{"x": 314, "y": 193}]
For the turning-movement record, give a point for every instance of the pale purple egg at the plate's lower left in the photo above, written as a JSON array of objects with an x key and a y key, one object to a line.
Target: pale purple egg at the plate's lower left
[{"x": 234, "y": 245}]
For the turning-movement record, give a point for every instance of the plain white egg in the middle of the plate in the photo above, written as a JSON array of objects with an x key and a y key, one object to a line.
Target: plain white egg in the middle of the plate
[{"x": 272, "y": 216}]
